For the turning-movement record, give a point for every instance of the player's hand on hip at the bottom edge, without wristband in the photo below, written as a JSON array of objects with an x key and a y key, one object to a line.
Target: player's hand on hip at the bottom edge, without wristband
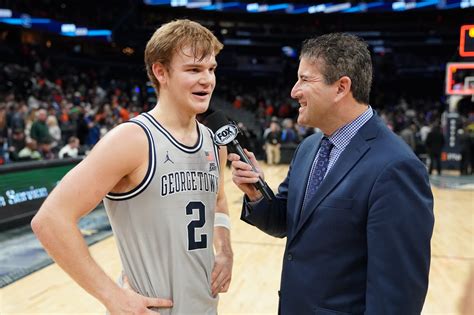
[{"x": 131, "y": 302}]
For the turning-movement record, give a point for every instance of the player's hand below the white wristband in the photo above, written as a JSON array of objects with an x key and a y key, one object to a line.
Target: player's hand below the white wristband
[{"x": 221, "y": 273}]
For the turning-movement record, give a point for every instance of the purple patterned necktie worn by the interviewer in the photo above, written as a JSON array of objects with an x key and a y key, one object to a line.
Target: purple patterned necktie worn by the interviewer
[{"x": 318, "y": 170}]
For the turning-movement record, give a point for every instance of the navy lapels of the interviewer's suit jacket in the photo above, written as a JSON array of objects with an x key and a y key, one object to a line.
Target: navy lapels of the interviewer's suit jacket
[{"x": 347, "y": 160}]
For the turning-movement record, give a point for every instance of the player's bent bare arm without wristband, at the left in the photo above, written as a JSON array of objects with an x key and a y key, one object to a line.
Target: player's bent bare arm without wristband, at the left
[{"x": 116, "y": 163}]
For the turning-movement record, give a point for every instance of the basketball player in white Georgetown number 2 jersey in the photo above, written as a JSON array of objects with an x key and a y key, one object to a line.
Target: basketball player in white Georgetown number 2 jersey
[{"x": 160, "y": 176}]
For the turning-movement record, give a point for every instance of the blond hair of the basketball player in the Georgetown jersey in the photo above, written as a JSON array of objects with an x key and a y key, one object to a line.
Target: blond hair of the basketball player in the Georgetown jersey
[{"x": 172, "y": 37}]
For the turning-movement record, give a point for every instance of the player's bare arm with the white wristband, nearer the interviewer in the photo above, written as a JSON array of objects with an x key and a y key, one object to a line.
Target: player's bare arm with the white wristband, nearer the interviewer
[{"x": 222, "y": 272}]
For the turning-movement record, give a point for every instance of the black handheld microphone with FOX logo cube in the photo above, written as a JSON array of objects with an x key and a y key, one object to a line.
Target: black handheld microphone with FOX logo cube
[{"x": 225, "y": 133}]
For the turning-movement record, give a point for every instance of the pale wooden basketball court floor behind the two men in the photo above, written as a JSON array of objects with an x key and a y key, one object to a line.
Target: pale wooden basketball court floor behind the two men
[{"x": 257, "y": 264}]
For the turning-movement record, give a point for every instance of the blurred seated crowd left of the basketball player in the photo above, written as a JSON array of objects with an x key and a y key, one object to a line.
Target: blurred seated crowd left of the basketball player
[{"x": 48, "y": 107}]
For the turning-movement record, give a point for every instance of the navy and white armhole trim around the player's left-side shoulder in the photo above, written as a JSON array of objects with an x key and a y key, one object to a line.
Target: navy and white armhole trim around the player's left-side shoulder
[{"x": 149, "y": 173}]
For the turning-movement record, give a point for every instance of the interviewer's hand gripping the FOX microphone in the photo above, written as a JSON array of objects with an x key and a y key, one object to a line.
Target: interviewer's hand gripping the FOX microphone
[{"x": 244, "y": 176}]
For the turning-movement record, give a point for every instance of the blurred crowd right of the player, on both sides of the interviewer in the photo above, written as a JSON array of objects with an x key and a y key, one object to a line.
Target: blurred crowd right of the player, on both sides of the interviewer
[{"x": 420, "y": 122}]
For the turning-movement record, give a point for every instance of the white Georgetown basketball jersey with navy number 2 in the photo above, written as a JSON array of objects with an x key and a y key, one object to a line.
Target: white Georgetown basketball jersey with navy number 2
[{"x": 164, "y": 226}]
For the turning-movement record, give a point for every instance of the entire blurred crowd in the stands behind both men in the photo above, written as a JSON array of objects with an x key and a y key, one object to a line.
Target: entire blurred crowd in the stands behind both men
[{"x": 52, "y": 109}]
